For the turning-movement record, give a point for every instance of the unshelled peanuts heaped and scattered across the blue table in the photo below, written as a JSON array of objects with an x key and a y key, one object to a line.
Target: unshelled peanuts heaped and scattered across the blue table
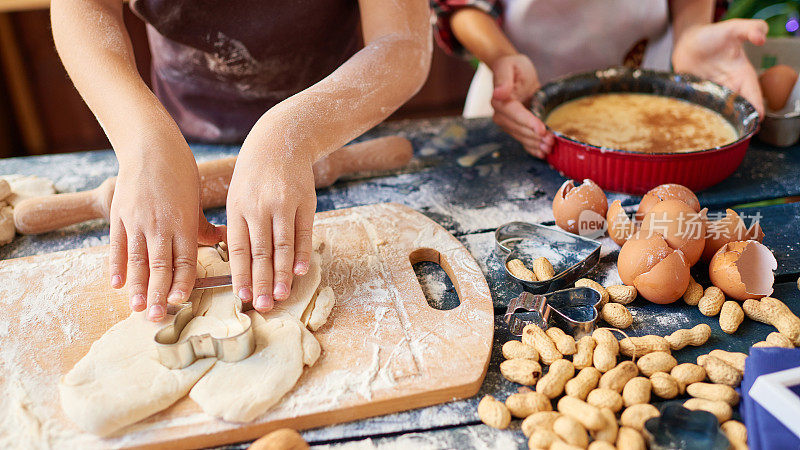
[{"x": 606, "y": 403}]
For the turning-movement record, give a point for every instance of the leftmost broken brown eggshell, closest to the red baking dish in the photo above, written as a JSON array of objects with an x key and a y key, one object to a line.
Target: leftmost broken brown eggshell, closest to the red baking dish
[{"x": 570, "y": 201}]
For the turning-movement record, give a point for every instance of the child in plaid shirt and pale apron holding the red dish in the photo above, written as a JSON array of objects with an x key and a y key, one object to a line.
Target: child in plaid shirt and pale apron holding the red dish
[{"x": 524, "y": 43}]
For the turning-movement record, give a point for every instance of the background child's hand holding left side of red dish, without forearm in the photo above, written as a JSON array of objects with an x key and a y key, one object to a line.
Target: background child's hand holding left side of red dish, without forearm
[{"x": 515, "y": 82}]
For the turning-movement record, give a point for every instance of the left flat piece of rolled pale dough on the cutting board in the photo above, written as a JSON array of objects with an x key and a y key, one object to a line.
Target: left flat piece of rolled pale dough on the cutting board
[{"x": 120, "y": 381}]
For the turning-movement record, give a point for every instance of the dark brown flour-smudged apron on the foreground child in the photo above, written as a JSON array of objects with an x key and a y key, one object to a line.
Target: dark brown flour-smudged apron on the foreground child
[{"x": 217, "y": 66}]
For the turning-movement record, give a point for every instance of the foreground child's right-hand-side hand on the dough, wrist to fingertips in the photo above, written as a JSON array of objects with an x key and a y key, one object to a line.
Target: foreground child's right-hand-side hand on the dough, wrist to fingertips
[{"x": 271, "y": 205}]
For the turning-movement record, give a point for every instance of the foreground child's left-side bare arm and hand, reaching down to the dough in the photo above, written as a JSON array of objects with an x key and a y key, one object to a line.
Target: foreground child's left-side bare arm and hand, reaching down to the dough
[{"x": 155, "y": 211}]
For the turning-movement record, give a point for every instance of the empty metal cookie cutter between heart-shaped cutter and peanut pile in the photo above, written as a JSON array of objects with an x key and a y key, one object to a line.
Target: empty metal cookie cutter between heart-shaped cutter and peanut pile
[{"x": 573, "y": 310}]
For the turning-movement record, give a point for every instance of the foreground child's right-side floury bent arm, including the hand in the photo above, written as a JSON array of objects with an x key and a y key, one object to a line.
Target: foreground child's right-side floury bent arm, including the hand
[{"x": 271, "y": 200}]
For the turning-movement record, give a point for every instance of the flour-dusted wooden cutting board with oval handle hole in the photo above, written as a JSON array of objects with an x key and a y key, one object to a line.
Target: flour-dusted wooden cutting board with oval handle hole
[{"x": 384, "y": 348}]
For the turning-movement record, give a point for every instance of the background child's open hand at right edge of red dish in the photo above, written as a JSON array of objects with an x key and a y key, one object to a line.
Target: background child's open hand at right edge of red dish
[{"x": 715, "y": 52}]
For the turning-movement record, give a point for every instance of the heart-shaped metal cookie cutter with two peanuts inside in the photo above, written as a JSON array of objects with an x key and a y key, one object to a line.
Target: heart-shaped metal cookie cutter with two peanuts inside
[{"x": 574, "y": 255}]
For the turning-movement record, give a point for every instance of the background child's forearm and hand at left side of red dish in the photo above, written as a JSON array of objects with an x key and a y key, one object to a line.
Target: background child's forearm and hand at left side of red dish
[{"x": 514, "y": 77}]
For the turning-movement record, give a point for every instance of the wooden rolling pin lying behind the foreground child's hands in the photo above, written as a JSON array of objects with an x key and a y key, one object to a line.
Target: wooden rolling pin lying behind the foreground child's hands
[{"x": 43, "y": 214}]
